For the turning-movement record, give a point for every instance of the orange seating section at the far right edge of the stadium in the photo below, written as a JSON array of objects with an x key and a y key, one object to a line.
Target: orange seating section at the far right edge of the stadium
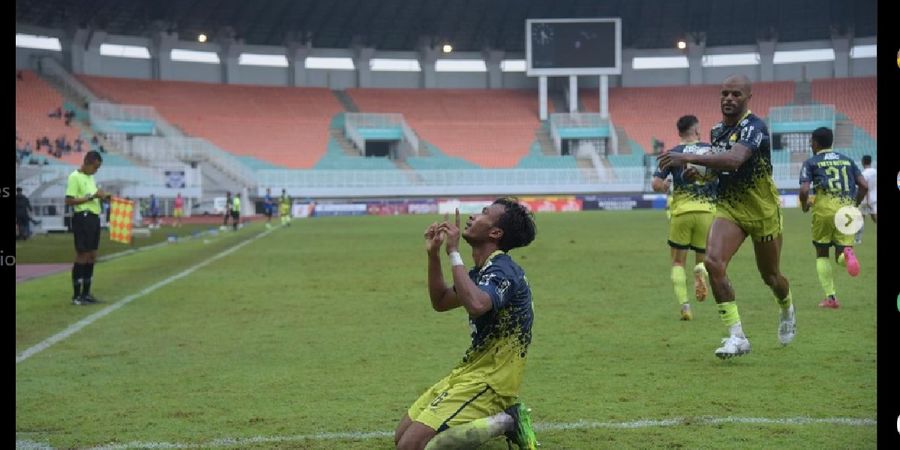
[{"x": 855, "y": 97}]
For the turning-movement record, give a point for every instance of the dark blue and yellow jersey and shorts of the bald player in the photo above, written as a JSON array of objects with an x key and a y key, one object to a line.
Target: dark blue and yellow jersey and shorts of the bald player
[{"x": 747, "y": 196}]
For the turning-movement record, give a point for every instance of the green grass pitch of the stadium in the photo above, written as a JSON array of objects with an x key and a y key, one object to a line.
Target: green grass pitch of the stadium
[{"x": 320, "y": 336}]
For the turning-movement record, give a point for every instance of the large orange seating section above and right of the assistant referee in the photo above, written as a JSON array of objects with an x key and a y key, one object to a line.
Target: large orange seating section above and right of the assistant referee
[{"x": 281, "y": 126}]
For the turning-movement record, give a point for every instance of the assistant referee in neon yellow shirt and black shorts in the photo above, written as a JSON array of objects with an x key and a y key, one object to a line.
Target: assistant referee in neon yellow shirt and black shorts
[{"x": 84, "y": 197}]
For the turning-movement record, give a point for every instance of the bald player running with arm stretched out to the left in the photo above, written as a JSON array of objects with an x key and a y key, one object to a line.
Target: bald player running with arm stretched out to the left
[{"x": 747, "y": 205}]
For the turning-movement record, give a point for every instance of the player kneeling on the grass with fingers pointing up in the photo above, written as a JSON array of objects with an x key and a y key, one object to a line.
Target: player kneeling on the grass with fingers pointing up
[{"x": 478, "y": 400}]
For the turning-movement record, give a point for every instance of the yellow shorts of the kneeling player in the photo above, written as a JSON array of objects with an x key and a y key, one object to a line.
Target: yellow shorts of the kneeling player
[{"x": 453, "y": 402}]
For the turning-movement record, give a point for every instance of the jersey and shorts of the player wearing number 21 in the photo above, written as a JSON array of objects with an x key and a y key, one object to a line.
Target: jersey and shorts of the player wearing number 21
[{"x": 833, "y": 179}]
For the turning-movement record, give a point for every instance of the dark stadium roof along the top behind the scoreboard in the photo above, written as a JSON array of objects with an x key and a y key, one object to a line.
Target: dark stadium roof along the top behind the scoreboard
[{"x": 470, "y": 25}]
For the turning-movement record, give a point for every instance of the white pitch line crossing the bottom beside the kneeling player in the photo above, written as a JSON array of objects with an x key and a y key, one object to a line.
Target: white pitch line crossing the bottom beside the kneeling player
[{"x": 580, "y": 425}]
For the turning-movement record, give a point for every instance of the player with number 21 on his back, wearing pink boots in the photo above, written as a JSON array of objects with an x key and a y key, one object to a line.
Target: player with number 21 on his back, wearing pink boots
[{"x": 838, "y": 183}]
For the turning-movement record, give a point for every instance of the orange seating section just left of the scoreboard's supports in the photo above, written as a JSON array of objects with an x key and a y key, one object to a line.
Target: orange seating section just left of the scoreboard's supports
[{"x": 490, "y": 128}]
